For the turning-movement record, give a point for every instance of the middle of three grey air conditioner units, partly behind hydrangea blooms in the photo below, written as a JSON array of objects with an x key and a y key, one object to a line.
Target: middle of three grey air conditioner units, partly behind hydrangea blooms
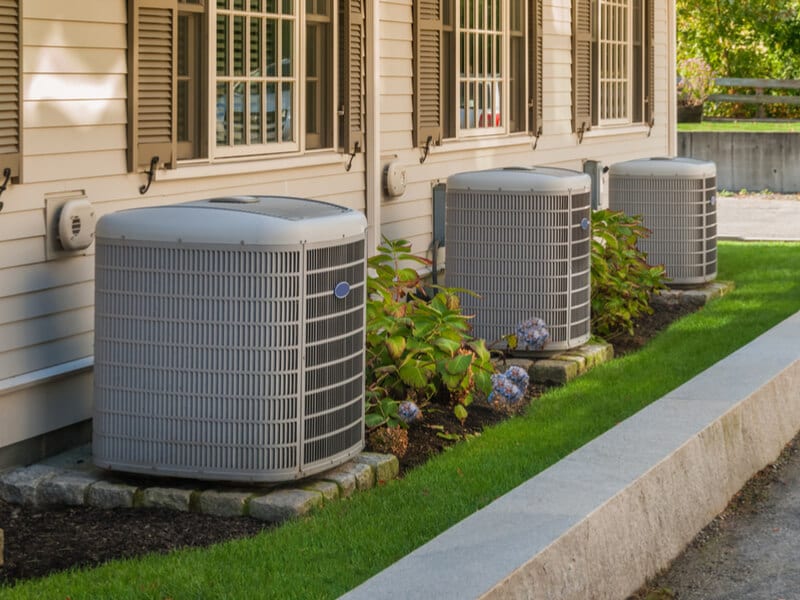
[{"x": 520, "y": 239}]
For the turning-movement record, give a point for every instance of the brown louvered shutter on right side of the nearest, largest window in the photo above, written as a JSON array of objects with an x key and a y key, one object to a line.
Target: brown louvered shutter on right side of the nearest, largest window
[{"x": 353, "y": 58}]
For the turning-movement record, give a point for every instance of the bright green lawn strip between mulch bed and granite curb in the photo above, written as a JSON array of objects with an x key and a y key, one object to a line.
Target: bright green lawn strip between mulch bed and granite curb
[{"x": 347, "y": 541}]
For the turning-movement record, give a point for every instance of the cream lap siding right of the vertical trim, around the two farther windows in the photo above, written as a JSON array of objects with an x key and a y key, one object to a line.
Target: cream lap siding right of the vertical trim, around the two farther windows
[{"x": 410, "y": 215}]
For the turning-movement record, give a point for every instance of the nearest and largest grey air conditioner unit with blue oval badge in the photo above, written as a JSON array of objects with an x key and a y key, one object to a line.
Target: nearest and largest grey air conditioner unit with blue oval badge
[{"x": 229, "y": 339}]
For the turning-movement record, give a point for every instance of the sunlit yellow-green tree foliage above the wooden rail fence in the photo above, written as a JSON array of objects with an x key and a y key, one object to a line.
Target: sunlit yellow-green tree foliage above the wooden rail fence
[{"x": 756, "y": 38}]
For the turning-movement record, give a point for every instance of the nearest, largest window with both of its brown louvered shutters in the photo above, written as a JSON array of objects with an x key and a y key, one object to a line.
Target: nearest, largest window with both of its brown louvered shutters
[{"x": 227, "y": 78}]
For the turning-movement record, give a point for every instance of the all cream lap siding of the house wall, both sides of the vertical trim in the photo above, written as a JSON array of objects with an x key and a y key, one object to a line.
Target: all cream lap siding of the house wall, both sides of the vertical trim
[{"x": 74, "y": 130}]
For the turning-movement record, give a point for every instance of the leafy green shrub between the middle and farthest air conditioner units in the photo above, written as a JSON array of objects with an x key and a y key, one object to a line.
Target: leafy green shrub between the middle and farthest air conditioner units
[{"x": 622, "y": 281}]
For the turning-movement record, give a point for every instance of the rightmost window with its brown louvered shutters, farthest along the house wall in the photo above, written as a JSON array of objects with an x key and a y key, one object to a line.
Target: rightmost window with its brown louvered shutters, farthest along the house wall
[{"x": 612, "y": 62}]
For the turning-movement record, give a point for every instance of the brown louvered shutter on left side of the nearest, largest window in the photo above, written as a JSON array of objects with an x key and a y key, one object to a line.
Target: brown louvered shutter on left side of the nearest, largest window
[{"x": 152, "y": 53}]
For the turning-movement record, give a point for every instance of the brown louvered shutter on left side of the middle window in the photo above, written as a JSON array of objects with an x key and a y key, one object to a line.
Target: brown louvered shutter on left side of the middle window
[{"x": 427, "y": 71}]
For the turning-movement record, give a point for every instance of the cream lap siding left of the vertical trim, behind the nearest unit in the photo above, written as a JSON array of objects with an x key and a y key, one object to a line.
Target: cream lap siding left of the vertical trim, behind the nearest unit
[{"x": 74, "y": 75}]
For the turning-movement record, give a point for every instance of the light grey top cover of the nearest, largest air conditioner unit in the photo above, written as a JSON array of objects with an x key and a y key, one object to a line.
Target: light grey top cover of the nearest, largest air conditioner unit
[{"x": 280, "y": 221}]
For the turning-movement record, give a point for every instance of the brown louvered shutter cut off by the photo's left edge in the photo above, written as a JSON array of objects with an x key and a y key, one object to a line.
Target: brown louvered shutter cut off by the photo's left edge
[{"x": 10, "y": 87}]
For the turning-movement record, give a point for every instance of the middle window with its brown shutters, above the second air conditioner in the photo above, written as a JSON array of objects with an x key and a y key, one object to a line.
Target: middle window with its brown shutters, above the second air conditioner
[{"x": 477, "y": 68}]
